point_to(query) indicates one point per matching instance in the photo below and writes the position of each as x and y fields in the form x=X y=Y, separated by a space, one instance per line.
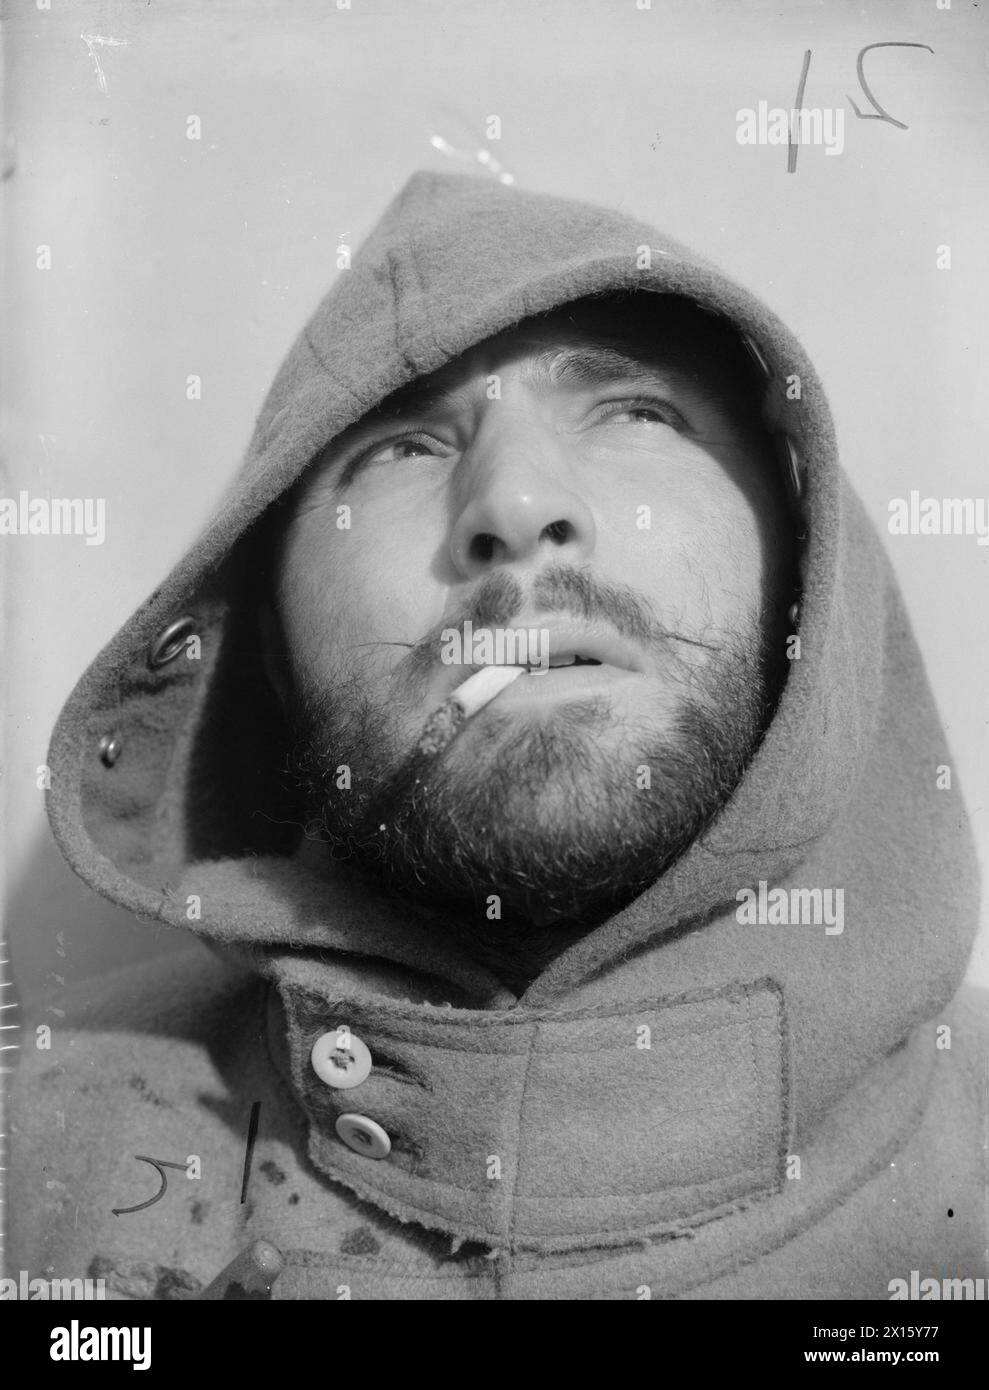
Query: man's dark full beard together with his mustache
x=527 y=832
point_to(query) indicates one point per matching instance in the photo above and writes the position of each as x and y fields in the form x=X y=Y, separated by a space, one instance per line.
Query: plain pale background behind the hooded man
x=176 y=258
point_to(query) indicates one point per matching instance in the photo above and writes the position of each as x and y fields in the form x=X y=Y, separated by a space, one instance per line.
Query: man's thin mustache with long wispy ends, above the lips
x=559 y=591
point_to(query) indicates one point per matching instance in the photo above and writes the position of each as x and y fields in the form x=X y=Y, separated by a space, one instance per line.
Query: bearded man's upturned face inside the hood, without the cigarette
x=595 y=476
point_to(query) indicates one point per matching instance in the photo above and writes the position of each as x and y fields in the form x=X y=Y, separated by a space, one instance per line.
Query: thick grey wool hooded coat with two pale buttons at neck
x=683 y=1104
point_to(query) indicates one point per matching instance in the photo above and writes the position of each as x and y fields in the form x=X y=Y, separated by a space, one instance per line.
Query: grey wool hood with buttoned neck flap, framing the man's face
x=165 y=792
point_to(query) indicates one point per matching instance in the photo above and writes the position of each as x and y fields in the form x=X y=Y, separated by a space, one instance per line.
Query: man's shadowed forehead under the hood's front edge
x=594 y=343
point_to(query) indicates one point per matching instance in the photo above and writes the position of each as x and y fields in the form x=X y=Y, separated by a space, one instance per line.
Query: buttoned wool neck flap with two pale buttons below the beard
x=534 y=1129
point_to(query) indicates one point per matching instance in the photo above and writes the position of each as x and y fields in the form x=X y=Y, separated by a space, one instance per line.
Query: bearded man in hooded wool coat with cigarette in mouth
x=641 y=974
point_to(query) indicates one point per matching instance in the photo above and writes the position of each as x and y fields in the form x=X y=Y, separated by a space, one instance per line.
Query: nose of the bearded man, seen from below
x=519 y=507
